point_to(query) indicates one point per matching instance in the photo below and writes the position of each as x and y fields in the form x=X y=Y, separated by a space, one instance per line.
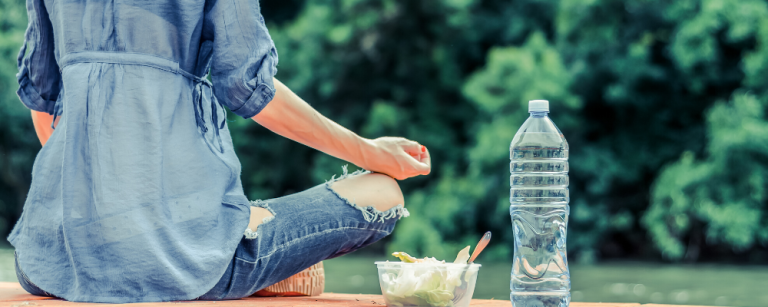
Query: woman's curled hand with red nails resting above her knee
x=397 y=157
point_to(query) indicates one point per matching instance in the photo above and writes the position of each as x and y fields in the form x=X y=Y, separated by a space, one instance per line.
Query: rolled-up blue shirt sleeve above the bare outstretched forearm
x=244 y=58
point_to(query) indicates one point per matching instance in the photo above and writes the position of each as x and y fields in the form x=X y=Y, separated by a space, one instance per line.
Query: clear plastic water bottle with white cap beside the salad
x=539 y=210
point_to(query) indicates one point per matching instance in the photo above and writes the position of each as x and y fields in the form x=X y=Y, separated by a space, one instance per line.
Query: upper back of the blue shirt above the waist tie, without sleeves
x=166 y=29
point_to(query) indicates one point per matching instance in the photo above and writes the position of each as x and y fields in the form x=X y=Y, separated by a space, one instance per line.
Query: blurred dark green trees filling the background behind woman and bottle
x=662 y=101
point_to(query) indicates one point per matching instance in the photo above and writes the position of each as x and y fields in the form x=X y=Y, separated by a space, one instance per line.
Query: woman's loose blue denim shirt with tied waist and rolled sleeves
x=137 y=194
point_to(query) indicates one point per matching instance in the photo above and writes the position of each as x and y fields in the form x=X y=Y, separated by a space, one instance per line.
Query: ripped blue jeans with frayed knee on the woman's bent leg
x=307 y=227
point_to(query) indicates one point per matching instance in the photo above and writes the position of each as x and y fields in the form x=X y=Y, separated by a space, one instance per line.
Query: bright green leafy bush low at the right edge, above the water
x=720 y=199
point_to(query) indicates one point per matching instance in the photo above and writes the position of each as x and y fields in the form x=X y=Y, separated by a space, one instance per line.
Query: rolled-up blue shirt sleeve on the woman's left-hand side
x=39 y=77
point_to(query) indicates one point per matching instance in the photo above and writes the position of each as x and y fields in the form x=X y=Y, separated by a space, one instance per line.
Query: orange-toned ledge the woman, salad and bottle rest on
x=12 y=295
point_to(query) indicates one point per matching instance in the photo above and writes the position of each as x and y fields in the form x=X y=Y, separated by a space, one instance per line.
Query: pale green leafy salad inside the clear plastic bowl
x=430 y=284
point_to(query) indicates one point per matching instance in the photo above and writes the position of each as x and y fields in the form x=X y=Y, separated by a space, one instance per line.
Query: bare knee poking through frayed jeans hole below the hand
x=377 y=190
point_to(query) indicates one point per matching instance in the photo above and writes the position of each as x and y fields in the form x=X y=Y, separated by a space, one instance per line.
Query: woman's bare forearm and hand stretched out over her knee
x=290 y=116
